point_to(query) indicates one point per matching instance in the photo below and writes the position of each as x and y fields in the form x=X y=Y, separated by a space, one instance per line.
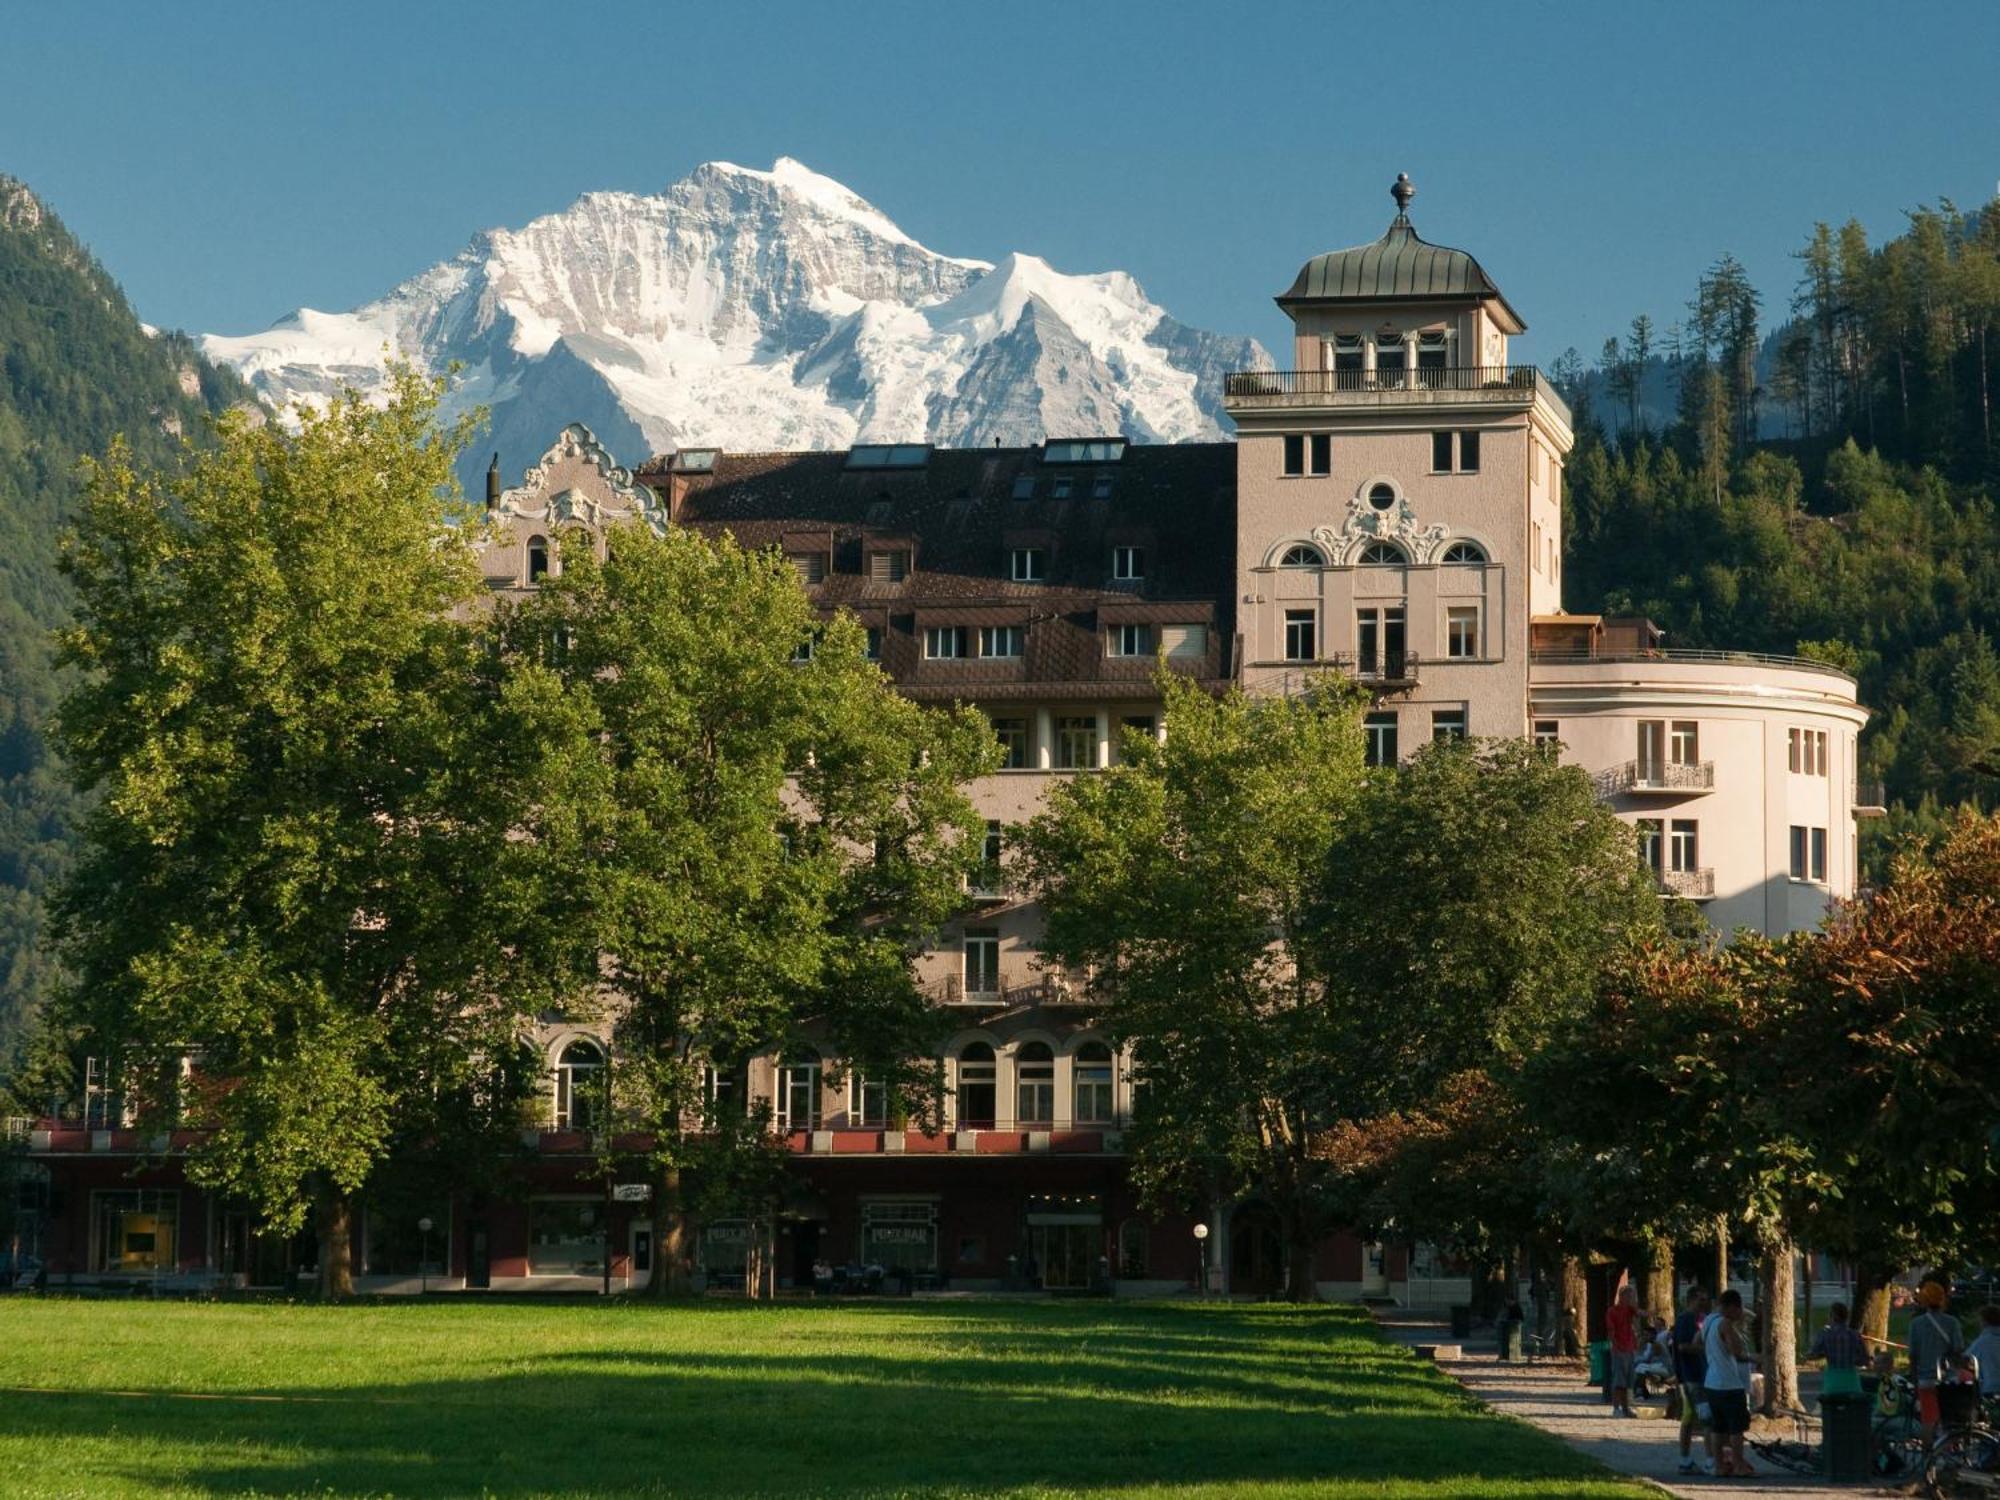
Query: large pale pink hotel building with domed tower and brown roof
x=1391 y=509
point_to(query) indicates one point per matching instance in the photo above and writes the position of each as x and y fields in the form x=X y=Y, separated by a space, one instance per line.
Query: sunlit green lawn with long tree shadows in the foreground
x=897 y=1399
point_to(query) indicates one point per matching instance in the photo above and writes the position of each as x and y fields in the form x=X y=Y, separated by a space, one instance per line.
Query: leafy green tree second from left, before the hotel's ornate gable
x=745 y=833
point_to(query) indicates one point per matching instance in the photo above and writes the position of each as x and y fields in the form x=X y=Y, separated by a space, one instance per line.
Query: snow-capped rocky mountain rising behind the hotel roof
x=749 y=311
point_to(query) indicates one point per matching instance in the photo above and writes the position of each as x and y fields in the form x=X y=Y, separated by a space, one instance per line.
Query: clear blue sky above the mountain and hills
x=235 y=161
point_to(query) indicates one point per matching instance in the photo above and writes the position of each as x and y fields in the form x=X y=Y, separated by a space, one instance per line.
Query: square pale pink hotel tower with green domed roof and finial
x=1399 y=491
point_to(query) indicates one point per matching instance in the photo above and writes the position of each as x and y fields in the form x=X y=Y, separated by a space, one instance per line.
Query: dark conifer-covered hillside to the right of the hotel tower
x=1869 y=539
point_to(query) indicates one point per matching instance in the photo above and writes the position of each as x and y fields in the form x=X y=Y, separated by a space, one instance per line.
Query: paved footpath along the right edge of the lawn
x=1555 y=1399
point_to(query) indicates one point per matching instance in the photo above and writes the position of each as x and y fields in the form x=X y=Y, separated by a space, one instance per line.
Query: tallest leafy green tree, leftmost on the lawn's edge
x=295 y=873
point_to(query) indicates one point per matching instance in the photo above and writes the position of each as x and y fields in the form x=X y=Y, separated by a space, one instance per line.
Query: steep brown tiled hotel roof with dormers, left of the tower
x=961 y=519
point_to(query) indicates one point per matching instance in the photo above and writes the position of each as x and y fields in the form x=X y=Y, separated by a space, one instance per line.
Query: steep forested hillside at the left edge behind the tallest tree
x=77 y=369
